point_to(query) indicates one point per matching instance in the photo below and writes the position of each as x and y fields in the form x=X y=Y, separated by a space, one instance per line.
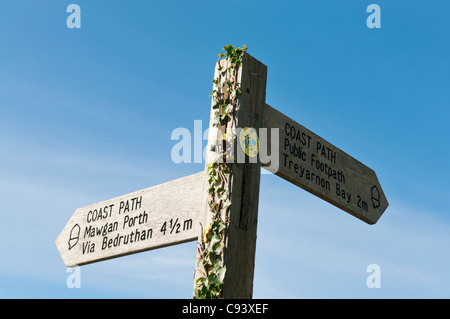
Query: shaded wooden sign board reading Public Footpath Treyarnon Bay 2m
x=312 y=163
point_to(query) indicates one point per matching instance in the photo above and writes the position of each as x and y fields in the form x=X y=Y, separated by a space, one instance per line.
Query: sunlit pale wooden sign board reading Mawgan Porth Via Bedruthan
x=152 y=218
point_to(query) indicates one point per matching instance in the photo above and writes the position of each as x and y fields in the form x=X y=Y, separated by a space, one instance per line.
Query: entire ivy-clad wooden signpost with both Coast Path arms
x=175 y=212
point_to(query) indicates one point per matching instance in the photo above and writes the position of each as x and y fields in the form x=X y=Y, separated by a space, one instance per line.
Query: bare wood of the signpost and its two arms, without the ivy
x=177 y=211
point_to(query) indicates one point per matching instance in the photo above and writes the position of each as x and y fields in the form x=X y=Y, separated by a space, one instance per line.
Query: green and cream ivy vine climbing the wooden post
x=225 y=94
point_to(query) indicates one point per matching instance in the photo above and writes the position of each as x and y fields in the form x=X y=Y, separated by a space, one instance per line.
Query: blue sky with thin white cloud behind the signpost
x=87 y=115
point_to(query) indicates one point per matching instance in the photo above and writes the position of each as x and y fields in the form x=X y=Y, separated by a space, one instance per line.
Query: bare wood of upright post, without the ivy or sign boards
x=239 y=254
